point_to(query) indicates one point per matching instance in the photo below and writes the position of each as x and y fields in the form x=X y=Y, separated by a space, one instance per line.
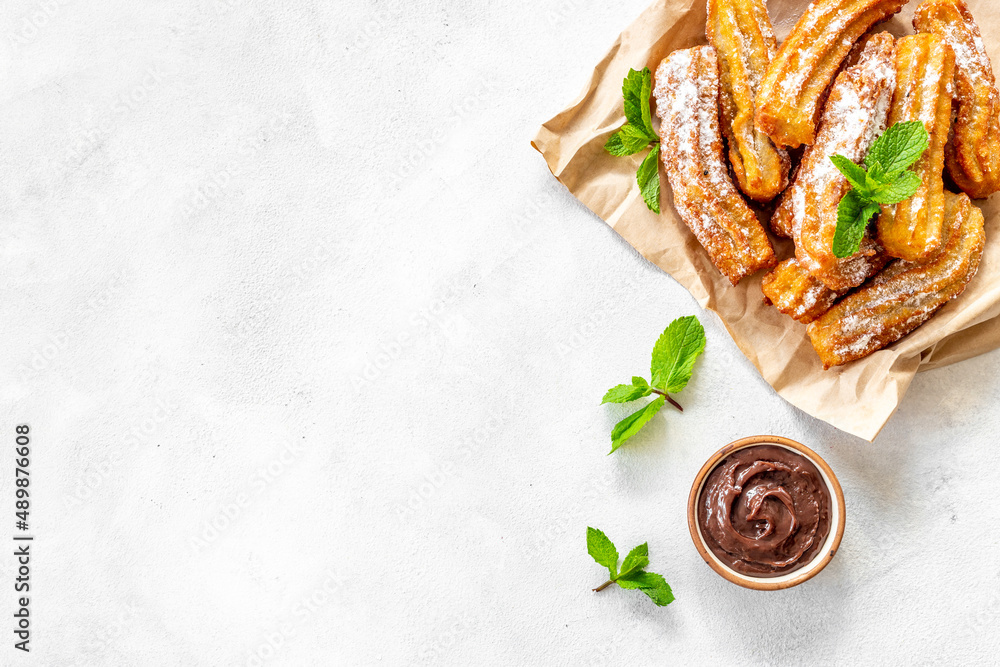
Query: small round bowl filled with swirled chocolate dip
x=766 y=512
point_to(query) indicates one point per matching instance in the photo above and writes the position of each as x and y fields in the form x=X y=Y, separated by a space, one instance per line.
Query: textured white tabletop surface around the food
x=312 y=346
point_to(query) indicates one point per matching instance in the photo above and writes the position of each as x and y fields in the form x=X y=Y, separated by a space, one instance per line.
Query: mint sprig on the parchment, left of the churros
x=638 y=133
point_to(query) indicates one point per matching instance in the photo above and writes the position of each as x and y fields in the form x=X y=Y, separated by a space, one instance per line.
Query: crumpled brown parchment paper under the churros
x=858 y=398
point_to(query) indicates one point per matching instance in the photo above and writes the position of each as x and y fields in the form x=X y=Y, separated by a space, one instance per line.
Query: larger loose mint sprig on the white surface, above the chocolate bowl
x=674 y=355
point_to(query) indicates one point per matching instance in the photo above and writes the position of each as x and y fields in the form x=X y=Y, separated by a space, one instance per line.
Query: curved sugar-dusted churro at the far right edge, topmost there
x=973 y=153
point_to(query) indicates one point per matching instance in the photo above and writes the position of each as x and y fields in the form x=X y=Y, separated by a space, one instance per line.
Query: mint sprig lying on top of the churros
x=885 y=181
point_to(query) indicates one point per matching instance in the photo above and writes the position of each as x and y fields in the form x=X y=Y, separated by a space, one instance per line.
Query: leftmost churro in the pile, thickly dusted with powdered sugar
x=686 y=91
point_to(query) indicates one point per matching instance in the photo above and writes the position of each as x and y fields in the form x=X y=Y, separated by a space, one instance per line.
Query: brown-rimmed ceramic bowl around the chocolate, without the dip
x=822 y=557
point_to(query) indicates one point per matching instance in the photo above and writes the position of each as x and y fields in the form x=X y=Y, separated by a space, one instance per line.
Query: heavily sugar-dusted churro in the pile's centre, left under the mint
x=853 y=117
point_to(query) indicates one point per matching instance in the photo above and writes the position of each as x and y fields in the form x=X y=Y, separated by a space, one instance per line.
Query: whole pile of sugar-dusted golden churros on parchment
x=833 y=87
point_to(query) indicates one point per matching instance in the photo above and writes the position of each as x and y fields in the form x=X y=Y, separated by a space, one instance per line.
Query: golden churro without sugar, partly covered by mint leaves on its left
x=925 y=71
